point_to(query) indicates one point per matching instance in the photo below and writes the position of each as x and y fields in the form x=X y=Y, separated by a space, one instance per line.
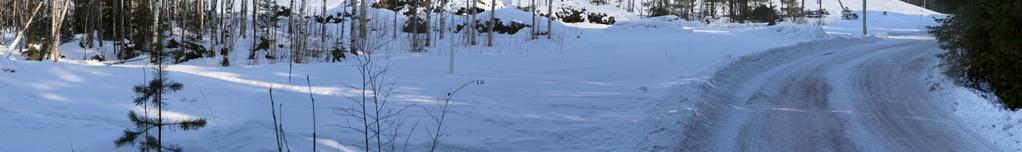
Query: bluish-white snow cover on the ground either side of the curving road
x=591 y=89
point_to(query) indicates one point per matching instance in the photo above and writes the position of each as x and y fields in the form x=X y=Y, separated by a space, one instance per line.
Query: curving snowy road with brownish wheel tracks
x=845 y=95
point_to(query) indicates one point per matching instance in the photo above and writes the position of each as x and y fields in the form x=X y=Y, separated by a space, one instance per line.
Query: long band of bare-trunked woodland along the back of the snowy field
x=295 y=32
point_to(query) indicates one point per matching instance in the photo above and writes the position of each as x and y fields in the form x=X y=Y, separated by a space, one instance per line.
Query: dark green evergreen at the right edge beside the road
x=983 y=40
